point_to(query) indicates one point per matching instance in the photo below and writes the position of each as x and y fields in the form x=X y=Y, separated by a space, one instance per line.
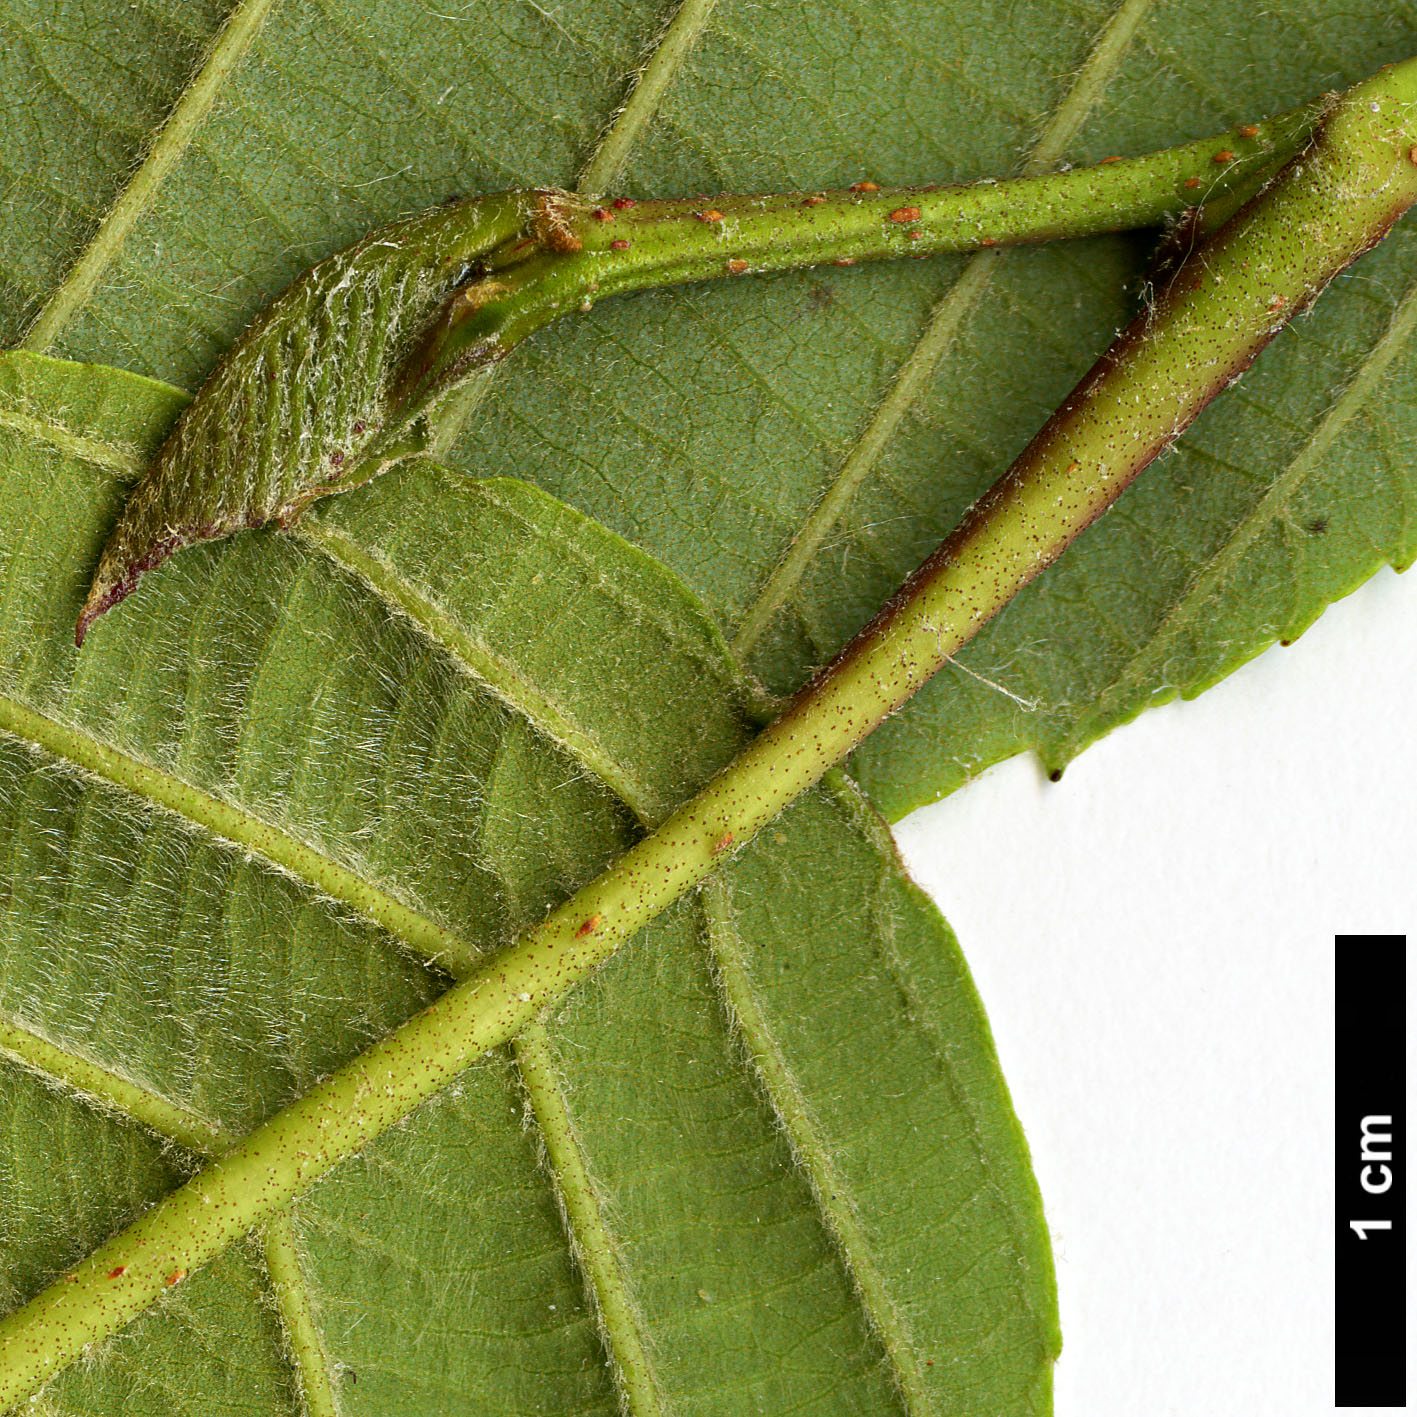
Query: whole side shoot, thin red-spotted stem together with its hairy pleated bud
x=346 y=373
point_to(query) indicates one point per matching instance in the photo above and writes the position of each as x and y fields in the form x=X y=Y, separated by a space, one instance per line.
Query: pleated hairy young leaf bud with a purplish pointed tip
x=300 y=403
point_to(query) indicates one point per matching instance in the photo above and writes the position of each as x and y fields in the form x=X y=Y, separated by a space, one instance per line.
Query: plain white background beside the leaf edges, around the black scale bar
x=1153 y=939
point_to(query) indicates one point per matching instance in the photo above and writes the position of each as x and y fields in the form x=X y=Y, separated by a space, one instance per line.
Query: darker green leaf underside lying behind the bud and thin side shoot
x=711 y=426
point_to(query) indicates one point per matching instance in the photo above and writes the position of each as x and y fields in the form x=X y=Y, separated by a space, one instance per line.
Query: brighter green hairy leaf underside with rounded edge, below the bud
x=440 y=711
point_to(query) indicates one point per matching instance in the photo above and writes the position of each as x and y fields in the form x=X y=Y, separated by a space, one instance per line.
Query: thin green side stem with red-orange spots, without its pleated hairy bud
x=599 y=252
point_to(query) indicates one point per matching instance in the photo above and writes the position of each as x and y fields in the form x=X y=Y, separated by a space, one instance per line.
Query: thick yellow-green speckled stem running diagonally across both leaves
x=1224 y=305
